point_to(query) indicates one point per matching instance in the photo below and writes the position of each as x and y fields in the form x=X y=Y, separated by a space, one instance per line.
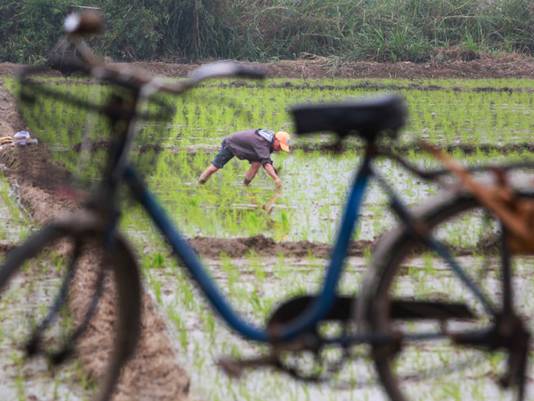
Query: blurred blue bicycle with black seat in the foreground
x=294 y=327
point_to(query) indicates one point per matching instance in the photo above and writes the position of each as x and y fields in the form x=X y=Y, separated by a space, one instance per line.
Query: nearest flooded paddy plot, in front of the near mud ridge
x=256 y=285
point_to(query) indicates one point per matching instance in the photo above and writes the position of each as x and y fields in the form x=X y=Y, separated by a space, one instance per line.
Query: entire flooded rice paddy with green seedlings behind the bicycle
x=494 y=119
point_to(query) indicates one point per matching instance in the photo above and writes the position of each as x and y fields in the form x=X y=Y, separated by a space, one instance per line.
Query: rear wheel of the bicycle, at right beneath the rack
x=426 y=362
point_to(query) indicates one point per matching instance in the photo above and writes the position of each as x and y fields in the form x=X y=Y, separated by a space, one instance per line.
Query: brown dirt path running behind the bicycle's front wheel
x=153 y=374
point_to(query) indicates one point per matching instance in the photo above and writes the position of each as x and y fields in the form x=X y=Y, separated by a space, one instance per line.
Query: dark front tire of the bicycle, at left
x=126 y=283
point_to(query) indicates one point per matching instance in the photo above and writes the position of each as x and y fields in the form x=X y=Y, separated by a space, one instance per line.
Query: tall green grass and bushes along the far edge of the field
x=185 y=30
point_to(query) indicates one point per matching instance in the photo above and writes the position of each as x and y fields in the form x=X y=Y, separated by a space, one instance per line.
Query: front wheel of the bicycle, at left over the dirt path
x=30 y=281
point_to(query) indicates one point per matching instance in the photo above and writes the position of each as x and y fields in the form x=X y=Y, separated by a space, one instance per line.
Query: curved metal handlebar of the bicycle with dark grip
x=77 y=26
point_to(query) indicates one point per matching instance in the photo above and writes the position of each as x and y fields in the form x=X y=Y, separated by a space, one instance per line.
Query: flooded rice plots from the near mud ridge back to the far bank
x=494 y=115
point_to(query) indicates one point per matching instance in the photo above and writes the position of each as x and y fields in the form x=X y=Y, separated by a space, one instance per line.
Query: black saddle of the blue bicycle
x=362 y=117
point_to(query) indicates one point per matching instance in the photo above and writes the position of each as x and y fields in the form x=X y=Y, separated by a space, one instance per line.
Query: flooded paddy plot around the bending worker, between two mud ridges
x=308 y=208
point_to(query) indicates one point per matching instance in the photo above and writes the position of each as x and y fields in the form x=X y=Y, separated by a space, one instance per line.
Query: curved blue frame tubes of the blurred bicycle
x=325 y=299
